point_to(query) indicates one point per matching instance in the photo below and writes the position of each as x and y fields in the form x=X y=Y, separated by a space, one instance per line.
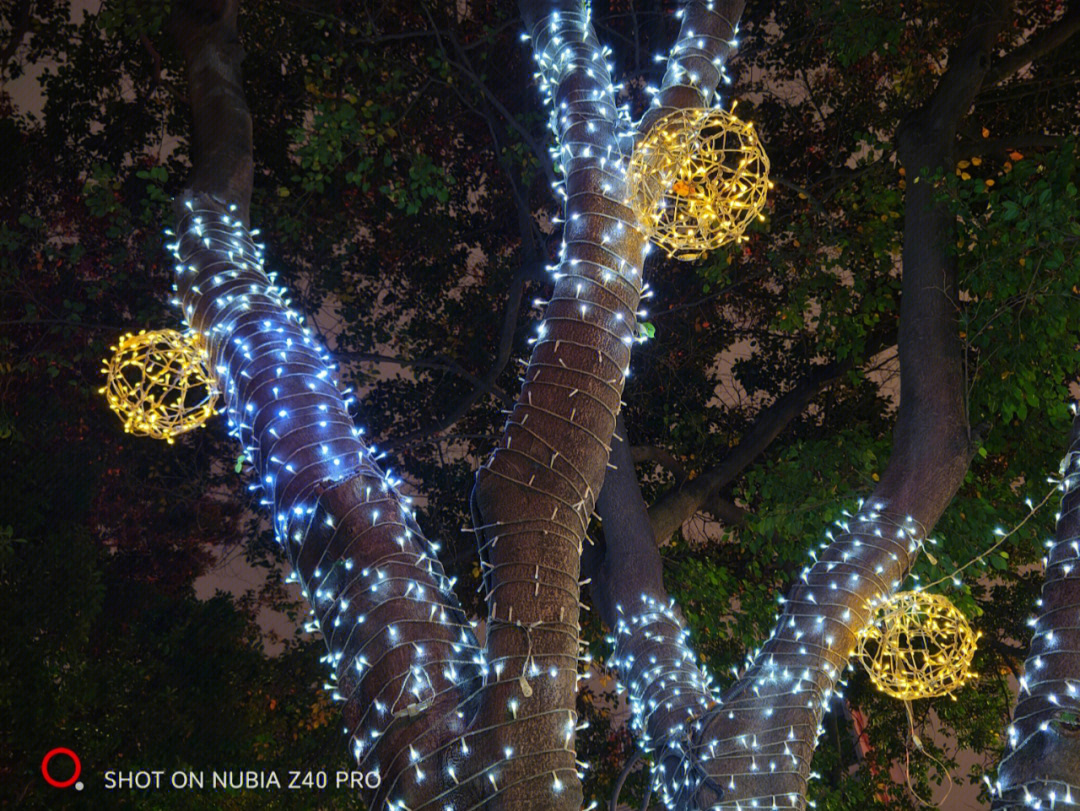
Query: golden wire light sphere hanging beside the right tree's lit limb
x=917 y=646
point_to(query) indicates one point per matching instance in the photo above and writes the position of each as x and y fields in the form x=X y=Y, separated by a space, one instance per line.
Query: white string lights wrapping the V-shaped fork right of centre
x=732 y=751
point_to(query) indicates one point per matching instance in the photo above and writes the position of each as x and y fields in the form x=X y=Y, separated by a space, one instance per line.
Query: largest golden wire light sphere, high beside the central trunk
x=697 y=181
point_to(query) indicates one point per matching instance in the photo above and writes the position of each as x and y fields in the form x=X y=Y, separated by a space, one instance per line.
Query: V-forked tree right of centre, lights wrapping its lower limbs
x=753 y=746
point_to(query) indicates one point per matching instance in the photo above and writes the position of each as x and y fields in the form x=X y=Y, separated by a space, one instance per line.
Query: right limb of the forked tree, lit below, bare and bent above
x=779 y=702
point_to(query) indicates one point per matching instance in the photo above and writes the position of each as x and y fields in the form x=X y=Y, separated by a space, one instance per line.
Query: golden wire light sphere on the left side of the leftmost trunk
x=159 y=384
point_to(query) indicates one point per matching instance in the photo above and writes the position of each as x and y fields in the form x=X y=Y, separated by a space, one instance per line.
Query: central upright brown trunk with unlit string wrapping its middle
x=536 y=493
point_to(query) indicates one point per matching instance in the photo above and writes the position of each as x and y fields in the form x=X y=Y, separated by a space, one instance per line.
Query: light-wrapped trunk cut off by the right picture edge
x=1042 y=766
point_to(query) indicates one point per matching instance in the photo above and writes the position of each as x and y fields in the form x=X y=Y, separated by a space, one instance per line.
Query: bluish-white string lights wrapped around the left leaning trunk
x=398 y=643
